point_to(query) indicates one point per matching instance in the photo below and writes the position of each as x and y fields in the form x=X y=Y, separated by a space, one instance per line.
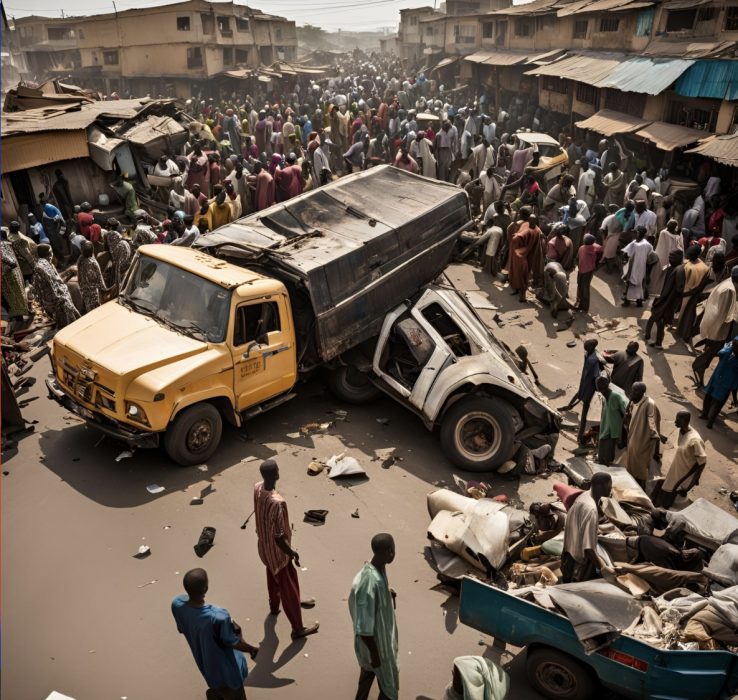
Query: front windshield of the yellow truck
x=178 y=299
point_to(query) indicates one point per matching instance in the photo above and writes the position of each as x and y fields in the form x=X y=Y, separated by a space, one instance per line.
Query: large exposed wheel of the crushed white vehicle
x=478 y=432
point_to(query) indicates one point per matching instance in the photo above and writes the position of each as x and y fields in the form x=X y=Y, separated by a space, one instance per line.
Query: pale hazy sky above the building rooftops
x=359 y=15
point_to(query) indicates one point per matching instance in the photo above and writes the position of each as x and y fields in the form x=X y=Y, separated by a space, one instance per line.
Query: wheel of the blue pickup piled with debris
x=558 y=676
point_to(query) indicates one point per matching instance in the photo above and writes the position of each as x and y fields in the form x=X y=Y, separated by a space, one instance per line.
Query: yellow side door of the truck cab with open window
x=263 y=347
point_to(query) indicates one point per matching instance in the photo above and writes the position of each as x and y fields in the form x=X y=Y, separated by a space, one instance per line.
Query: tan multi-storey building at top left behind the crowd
x=155 y=50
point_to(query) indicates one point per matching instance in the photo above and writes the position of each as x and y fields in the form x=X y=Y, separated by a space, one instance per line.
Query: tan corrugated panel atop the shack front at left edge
x=31 y=150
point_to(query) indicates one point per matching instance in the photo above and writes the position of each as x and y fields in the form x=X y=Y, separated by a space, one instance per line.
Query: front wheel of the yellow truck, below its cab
x=193 y=436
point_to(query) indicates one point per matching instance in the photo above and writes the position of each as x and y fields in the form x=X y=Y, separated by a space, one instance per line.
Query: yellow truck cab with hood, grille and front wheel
x=191 y=339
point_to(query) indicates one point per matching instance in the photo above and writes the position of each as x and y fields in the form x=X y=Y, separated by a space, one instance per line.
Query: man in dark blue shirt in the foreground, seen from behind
x=215 y=640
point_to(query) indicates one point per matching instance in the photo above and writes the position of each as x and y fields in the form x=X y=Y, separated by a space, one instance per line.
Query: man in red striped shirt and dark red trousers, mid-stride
x=274 y=538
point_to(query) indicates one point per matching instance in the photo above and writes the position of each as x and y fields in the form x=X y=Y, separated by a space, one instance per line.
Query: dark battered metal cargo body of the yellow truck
x=350 y=251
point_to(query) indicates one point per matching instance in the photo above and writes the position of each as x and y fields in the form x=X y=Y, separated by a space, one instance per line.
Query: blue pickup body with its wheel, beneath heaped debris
x=558 y=668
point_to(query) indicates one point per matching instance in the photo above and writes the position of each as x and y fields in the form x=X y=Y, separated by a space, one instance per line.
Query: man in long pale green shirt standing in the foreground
x=372 y=608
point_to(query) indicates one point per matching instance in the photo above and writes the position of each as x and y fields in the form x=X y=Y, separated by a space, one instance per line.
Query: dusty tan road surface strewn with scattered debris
x=82 y=616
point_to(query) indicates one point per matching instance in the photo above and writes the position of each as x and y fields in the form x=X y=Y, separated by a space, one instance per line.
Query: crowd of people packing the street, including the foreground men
x=548 y=224
